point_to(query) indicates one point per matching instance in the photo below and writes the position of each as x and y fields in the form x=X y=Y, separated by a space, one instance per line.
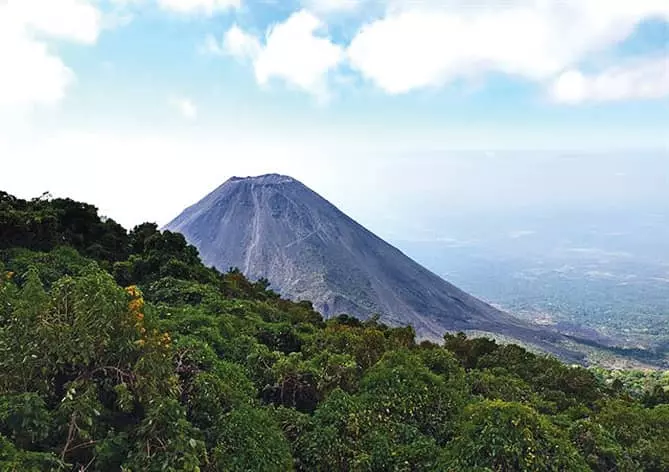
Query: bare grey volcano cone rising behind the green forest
x=275 y=227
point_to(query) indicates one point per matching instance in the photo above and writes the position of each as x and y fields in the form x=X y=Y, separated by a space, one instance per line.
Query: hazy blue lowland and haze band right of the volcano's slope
x=579 y=240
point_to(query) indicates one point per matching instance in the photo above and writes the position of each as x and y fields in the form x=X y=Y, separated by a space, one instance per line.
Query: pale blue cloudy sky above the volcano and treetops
x=141 y=107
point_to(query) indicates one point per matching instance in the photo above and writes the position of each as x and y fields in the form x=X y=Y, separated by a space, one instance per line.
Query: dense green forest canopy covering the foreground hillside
x=121 y=351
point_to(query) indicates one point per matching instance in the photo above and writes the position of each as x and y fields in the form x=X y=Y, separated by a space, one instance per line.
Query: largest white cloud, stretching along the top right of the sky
x=431 y=43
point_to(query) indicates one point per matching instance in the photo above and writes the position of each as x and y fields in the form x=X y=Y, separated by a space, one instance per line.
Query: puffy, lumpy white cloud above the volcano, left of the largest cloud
x=293 y=52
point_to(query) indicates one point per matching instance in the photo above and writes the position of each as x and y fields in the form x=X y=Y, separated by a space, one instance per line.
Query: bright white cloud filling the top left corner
x=31 y=72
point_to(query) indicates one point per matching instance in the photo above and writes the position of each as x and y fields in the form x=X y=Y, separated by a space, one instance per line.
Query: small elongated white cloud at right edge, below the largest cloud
x=641 y=79
